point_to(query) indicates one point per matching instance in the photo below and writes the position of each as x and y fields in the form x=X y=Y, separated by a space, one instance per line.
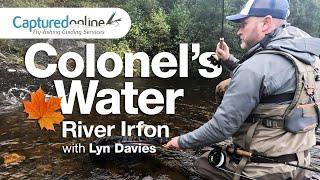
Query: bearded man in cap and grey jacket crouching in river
x=271 y=104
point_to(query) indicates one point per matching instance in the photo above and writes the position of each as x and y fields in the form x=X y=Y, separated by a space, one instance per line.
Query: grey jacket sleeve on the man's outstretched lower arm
x=242 y=96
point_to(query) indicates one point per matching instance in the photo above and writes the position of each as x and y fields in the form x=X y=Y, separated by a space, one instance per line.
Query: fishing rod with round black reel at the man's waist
x=217 y=157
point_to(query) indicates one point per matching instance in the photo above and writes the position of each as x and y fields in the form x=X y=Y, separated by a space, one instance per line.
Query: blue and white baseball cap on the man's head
x=259 y=8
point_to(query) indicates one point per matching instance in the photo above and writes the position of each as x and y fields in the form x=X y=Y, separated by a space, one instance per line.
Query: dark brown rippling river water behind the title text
x=44 y=158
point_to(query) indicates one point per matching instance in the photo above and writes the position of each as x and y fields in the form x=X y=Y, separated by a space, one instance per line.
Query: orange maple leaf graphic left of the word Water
x=44 y=112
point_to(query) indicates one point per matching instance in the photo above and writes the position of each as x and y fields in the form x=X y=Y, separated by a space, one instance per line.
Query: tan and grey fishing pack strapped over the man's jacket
x=302 y=114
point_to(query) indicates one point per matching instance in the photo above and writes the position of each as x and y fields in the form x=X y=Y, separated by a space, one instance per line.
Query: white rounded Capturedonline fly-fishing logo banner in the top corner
x=64 y=23
